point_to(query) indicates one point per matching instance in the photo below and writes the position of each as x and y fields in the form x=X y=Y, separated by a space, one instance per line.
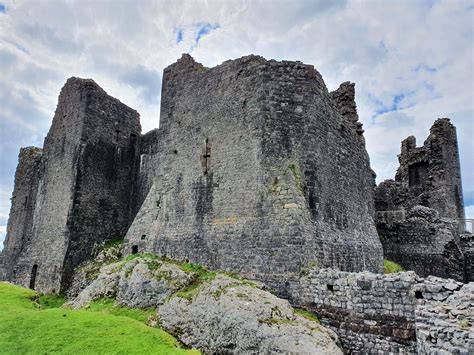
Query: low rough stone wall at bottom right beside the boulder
x=395 y=313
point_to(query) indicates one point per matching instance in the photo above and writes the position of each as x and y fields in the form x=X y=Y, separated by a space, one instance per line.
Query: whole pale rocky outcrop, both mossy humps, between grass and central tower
x=216 y=313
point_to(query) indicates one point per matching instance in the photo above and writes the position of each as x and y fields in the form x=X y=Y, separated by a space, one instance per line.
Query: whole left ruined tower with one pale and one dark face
x=74 y=193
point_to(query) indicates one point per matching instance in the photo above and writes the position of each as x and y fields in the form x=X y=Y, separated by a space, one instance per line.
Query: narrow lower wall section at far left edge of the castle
x=20 y=222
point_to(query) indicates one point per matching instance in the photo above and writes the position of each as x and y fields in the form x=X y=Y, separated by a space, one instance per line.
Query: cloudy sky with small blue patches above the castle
x=411 y=60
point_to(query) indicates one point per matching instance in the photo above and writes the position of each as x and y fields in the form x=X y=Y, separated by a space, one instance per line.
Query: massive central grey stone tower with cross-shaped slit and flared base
x=260 y=172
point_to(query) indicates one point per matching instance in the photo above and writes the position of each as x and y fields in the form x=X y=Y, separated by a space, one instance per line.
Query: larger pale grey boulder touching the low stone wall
x=233 y=316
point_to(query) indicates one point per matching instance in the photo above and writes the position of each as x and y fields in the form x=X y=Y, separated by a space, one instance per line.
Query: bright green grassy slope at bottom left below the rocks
x=25 y=328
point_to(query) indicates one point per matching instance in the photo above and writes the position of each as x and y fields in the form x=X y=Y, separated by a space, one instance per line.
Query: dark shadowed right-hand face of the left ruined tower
x=106 y=170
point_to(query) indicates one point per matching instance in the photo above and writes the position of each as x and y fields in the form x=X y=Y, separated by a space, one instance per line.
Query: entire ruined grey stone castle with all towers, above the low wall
x=256 y=168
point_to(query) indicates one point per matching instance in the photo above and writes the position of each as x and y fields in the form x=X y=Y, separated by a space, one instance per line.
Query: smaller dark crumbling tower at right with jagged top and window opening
x=418 y=213
